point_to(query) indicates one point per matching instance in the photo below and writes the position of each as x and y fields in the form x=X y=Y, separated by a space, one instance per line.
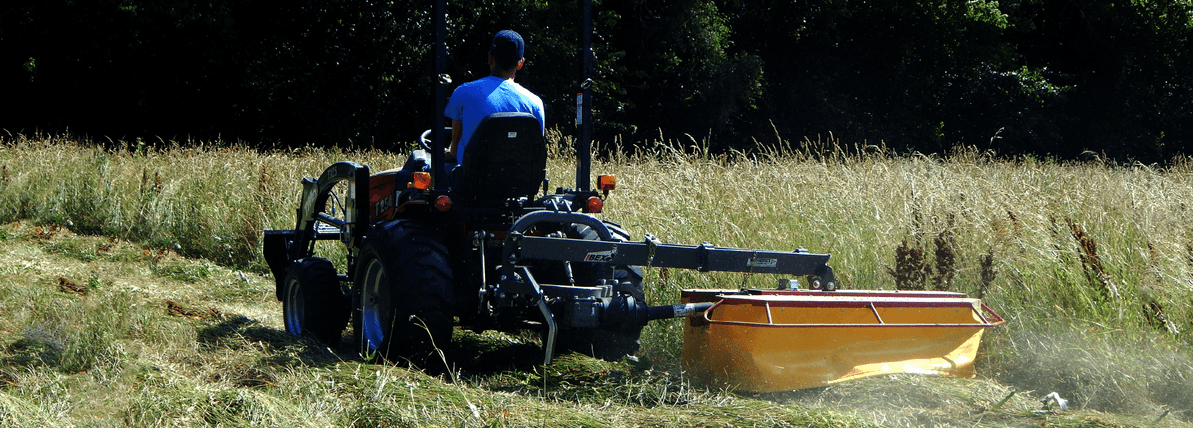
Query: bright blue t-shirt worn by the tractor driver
x=480 y=98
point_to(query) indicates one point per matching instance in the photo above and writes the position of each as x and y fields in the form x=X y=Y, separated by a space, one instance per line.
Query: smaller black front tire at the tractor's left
x=313 y=302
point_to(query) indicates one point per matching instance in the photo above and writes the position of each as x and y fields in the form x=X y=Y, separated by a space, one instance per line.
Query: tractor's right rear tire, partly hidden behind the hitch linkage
x=608 y=344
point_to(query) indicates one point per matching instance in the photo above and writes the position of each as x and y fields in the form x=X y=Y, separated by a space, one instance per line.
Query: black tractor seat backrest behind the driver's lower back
x=506 y=158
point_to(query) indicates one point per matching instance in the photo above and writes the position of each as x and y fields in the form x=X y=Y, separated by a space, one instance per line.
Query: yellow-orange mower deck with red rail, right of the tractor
x=770 y=342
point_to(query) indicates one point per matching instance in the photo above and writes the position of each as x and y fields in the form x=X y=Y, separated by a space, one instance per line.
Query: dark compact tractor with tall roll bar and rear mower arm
x=494 y=250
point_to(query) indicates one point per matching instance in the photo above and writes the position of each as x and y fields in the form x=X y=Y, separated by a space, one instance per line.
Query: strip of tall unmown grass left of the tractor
x=205 y=201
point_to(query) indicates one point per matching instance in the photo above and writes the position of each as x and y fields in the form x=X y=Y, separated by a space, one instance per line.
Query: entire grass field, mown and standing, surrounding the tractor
x=133 y=291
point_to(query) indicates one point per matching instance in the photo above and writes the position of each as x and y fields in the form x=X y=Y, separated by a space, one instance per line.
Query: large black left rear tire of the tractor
x=404 y=296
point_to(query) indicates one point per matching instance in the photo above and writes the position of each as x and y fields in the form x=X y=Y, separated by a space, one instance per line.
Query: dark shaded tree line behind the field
x=1018 y=77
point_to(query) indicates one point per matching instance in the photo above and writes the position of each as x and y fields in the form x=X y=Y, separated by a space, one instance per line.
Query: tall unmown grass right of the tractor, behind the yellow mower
x=1090 y=262
